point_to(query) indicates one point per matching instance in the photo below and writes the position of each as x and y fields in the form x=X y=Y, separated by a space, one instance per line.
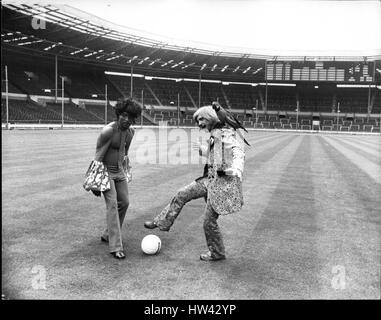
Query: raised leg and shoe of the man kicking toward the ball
x=164 y=220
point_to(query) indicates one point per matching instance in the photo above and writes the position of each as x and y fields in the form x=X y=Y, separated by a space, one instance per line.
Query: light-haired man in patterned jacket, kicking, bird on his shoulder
x=220 y=185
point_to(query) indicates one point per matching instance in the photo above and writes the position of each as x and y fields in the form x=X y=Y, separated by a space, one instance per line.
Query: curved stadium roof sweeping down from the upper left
x=75 y=35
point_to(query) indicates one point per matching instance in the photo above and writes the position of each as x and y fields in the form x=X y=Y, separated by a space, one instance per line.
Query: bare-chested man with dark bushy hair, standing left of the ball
x=112 y=148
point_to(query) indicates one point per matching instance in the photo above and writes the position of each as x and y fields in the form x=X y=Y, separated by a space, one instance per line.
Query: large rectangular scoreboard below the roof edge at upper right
x=356 y=72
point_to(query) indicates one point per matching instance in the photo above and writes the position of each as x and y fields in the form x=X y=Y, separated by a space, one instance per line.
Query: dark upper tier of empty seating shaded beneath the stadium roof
x=90 y=84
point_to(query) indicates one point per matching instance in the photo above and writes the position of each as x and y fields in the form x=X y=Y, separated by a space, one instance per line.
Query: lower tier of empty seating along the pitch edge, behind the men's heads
x=28 y=111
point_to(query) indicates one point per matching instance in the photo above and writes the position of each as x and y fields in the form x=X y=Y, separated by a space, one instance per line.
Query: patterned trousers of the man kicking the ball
x=195 y=190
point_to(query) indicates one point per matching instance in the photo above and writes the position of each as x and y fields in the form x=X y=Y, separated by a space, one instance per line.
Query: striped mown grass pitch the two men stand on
x=309 y=229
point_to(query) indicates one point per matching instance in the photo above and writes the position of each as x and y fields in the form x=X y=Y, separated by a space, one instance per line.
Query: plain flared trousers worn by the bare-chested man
x=117 y=203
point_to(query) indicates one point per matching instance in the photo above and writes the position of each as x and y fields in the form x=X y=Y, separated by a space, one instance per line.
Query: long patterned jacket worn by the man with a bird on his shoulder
x=224 y=169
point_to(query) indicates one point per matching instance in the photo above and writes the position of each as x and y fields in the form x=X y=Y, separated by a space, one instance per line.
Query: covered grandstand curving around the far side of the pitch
x=159 y=87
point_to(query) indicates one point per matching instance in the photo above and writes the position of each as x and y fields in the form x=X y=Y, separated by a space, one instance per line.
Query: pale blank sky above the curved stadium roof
x=254 y=26
